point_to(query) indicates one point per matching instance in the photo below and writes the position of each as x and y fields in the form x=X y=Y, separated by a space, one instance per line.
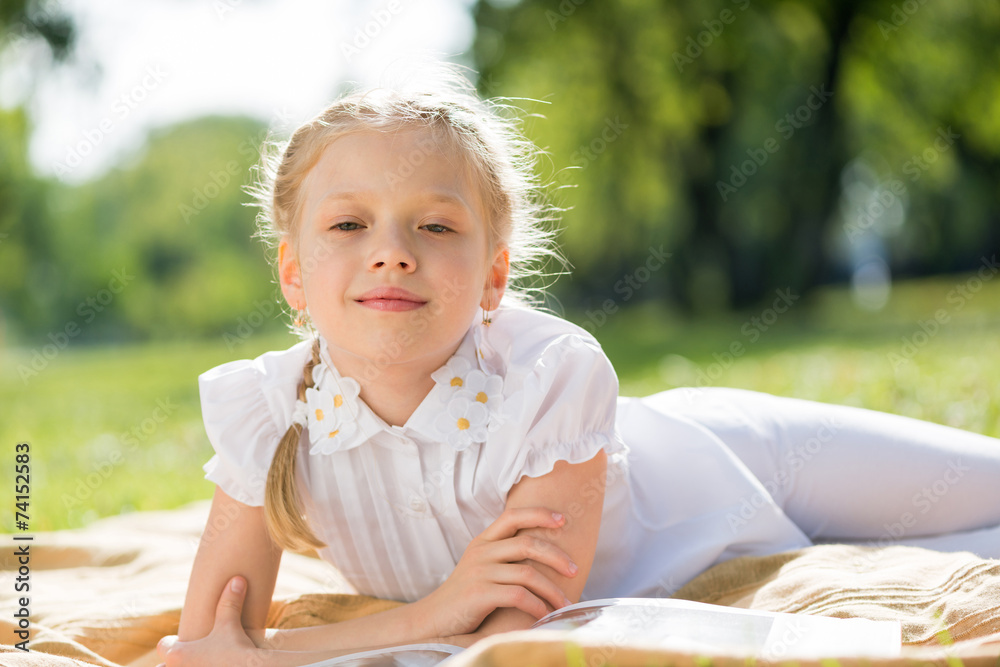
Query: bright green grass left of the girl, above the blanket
x=112 y=429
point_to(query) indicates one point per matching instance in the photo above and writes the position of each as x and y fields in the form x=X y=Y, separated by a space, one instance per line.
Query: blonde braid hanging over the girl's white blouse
x=283 y=513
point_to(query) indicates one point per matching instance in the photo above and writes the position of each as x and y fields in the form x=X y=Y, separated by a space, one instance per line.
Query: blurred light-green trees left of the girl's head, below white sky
x=159 y=247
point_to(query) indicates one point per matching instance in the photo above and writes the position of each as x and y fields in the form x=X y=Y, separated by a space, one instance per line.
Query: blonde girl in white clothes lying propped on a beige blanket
x=443 y=444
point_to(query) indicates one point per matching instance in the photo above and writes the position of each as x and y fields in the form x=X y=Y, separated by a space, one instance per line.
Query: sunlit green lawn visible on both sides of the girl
x=74 y=413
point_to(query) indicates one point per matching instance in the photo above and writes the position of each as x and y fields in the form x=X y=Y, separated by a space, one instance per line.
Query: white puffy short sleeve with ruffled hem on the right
x=564 y=411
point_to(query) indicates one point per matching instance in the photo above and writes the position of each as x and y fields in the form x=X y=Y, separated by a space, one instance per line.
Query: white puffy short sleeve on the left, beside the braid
x=247 y=407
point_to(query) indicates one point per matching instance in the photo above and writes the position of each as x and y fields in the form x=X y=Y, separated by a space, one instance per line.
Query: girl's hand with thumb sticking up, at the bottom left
x=227 y=644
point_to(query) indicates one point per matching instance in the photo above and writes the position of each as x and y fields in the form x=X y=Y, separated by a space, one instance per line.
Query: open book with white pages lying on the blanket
x=680 y=625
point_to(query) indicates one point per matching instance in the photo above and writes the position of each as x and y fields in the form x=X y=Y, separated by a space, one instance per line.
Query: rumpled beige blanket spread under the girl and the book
x=104 y=595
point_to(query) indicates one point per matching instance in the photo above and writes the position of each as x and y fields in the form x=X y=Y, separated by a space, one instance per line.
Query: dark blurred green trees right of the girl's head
x=722 y=129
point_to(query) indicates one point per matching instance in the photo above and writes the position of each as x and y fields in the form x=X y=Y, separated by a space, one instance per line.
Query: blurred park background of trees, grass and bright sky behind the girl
x=800 y=197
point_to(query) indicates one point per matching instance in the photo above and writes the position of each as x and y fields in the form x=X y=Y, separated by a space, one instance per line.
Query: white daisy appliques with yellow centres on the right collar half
x=474 y=408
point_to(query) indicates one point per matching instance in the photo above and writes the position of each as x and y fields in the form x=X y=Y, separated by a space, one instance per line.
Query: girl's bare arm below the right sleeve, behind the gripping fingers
x=576 y=491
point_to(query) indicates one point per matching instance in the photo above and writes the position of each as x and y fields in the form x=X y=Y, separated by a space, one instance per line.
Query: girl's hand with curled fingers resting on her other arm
x=489 y=576
